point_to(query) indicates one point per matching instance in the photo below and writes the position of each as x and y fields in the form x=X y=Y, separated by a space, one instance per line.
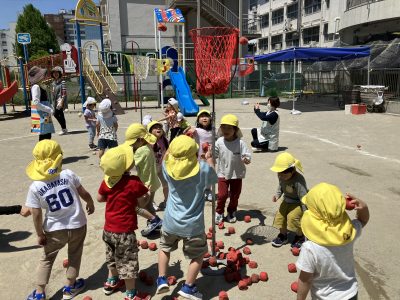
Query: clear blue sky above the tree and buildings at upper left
x=10 y=9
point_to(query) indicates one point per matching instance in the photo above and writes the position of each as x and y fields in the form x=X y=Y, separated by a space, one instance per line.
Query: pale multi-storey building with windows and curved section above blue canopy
x=321 y=23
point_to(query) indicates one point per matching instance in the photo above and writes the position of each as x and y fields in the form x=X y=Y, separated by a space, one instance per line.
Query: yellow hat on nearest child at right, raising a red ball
x=325 y=221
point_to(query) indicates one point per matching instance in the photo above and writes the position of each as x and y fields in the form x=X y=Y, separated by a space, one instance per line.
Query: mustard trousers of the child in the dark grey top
x=289 y=216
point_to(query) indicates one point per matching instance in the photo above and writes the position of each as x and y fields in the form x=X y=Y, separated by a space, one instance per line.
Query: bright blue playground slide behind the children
x=183 y=93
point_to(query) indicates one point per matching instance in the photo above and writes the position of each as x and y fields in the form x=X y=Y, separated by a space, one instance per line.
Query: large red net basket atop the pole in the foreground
x=214 y=48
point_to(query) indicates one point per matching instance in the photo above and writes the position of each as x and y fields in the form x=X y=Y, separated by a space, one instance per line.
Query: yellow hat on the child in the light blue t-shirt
x=181 y=160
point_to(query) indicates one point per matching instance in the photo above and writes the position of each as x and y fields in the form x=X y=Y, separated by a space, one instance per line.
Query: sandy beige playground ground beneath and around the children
x=359 y=153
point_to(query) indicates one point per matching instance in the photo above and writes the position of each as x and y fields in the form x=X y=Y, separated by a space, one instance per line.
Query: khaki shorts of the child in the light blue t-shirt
x=193 y=247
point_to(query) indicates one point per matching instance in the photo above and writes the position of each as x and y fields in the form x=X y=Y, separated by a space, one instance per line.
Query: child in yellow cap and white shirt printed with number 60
x=58 y=192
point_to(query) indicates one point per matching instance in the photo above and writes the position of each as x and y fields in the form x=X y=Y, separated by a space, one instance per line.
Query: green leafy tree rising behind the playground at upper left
x=43 y=37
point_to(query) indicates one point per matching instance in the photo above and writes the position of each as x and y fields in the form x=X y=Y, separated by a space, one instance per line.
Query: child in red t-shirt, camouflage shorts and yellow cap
x=122 y=193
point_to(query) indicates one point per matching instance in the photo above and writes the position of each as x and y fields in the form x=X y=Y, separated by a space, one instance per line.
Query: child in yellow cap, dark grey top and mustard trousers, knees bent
x=292 y=187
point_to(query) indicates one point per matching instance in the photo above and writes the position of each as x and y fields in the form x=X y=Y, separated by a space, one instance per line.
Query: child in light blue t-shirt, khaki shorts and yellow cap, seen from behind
x=184 y=215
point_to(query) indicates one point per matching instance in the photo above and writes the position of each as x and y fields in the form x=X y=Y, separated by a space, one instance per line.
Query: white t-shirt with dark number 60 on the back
x=60 y=198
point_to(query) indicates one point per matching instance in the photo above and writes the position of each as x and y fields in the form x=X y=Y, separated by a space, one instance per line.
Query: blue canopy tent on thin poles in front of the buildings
x=312 y=55
